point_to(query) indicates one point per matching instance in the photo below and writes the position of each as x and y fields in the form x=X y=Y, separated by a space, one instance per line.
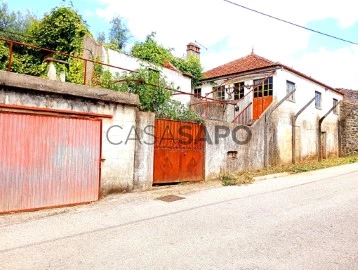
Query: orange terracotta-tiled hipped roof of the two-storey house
x=249 y=62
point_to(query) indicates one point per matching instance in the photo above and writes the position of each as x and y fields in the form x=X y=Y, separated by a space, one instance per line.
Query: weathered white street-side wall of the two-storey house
x=307 y=122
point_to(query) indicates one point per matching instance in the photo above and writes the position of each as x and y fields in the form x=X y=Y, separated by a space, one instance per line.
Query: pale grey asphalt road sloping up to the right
x=306 y=221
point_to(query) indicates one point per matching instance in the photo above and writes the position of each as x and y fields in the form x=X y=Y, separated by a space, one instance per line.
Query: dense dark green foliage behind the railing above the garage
x=60 y=30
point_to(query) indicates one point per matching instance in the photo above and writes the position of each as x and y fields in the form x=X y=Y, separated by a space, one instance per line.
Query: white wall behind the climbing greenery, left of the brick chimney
x=177 y=79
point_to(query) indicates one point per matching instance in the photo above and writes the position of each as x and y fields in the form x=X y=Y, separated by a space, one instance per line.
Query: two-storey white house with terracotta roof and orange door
x=250 y=86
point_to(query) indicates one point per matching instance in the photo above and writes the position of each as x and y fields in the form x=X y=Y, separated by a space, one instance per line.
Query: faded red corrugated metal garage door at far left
x=48 y=161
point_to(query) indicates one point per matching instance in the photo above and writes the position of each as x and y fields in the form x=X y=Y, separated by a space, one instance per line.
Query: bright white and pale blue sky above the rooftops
x=229 y=32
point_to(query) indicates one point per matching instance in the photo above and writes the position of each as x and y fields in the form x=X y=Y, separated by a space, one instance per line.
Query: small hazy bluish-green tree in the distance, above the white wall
x=118 y=34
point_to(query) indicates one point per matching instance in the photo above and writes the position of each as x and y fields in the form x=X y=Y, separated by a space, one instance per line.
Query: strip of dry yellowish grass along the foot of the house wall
x=247 y=177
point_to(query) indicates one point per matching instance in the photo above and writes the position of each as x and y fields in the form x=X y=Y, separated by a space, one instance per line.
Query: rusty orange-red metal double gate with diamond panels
x=178 y=151
